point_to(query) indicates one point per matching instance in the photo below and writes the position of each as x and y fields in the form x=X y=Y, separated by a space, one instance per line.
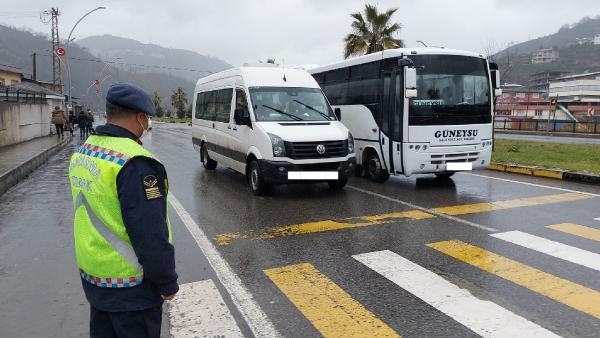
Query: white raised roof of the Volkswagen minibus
x=263 y=77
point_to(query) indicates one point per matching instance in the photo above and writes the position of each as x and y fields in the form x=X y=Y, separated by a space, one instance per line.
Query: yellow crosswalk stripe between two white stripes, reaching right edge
x=561 y=290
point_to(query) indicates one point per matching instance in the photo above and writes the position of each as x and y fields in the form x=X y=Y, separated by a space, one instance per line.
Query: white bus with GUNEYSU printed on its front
x=415 y=111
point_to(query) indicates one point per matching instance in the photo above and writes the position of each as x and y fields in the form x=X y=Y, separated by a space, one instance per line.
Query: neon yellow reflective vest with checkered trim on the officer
x=103 y=249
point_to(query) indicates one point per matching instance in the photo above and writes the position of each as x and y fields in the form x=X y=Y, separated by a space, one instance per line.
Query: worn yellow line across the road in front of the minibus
x=326 y=225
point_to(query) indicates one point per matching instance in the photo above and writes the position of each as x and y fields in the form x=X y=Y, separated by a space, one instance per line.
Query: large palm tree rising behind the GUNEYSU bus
x=372 y=32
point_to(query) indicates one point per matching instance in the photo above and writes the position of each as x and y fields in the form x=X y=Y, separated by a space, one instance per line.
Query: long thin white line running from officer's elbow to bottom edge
x=256 y=319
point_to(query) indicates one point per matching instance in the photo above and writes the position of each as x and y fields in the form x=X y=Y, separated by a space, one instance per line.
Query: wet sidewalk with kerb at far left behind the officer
x=19 y=160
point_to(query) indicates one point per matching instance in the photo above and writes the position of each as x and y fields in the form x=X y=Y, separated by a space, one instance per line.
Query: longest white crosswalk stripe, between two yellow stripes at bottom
x=485 y=318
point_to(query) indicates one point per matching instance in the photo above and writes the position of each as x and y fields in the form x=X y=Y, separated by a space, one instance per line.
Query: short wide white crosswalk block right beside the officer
x=199 y=311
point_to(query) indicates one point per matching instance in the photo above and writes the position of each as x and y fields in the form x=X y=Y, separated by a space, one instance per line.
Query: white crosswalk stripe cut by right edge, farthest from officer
x=552 y=248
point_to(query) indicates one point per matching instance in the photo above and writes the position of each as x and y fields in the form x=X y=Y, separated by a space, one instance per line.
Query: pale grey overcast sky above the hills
x=299 y=31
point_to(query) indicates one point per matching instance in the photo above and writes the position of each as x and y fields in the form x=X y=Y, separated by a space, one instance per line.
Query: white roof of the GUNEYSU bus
x=391 y=53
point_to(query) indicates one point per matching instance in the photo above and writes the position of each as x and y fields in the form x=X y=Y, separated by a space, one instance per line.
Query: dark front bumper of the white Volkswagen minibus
x=277 y=171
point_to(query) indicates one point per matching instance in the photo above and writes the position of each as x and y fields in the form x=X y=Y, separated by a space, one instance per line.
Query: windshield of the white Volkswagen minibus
x=290 y=104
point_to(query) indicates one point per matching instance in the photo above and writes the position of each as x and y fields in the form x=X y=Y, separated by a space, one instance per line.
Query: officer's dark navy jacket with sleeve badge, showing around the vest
x=145 y=221
